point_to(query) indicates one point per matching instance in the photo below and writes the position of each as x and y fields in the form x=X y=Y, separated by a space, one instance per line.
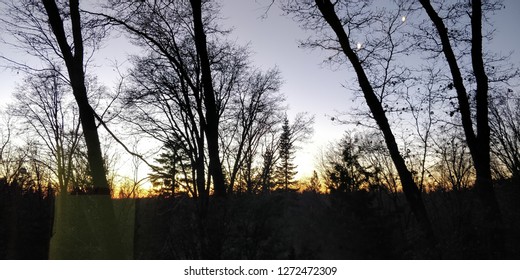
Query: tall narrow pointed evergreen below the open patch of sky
x=286 y=169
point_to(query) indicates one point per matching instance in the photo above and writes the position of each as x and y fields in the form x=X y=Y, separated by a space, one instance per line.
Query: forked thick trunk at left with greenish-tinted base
x=102 y=225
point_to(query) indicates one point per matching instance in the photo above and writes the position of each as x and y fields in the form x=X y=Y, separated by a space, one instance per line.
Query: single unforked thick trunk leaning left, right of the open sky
x=410 y=189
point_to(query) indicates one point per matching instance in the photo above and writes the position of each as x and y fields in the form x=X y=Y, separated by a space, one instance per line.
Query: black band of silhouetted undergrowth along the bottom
x=280 y=225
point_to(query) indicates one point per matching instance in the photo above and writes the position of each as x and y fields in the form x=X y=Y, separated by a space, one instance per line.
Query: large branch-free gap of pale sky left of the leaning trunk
x=309 y=86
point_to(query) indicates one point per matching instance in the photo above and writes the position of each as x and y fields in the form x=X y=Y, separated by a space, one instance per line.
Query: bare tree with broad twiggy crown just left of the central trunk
x=158 y=104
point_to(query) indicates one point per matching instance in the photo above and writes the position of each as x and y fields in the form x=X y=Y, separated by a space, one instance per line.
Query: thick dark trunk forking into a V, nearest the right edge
x=479 y=144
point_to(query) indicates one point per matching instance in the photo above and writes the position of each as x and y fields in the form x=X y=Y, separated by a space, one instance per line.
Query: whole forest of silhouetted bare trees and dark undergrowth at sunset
x=428 y=167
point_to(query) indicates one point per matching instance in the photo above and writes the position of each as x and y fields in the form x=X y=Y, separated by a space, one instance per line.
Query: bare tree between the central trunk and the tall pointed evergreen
x=255 y=107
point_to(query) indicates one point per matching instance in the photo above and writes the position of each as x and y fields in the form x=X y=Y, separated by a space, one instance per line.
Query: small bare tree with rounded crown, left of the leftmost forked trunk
x=42 y=105
